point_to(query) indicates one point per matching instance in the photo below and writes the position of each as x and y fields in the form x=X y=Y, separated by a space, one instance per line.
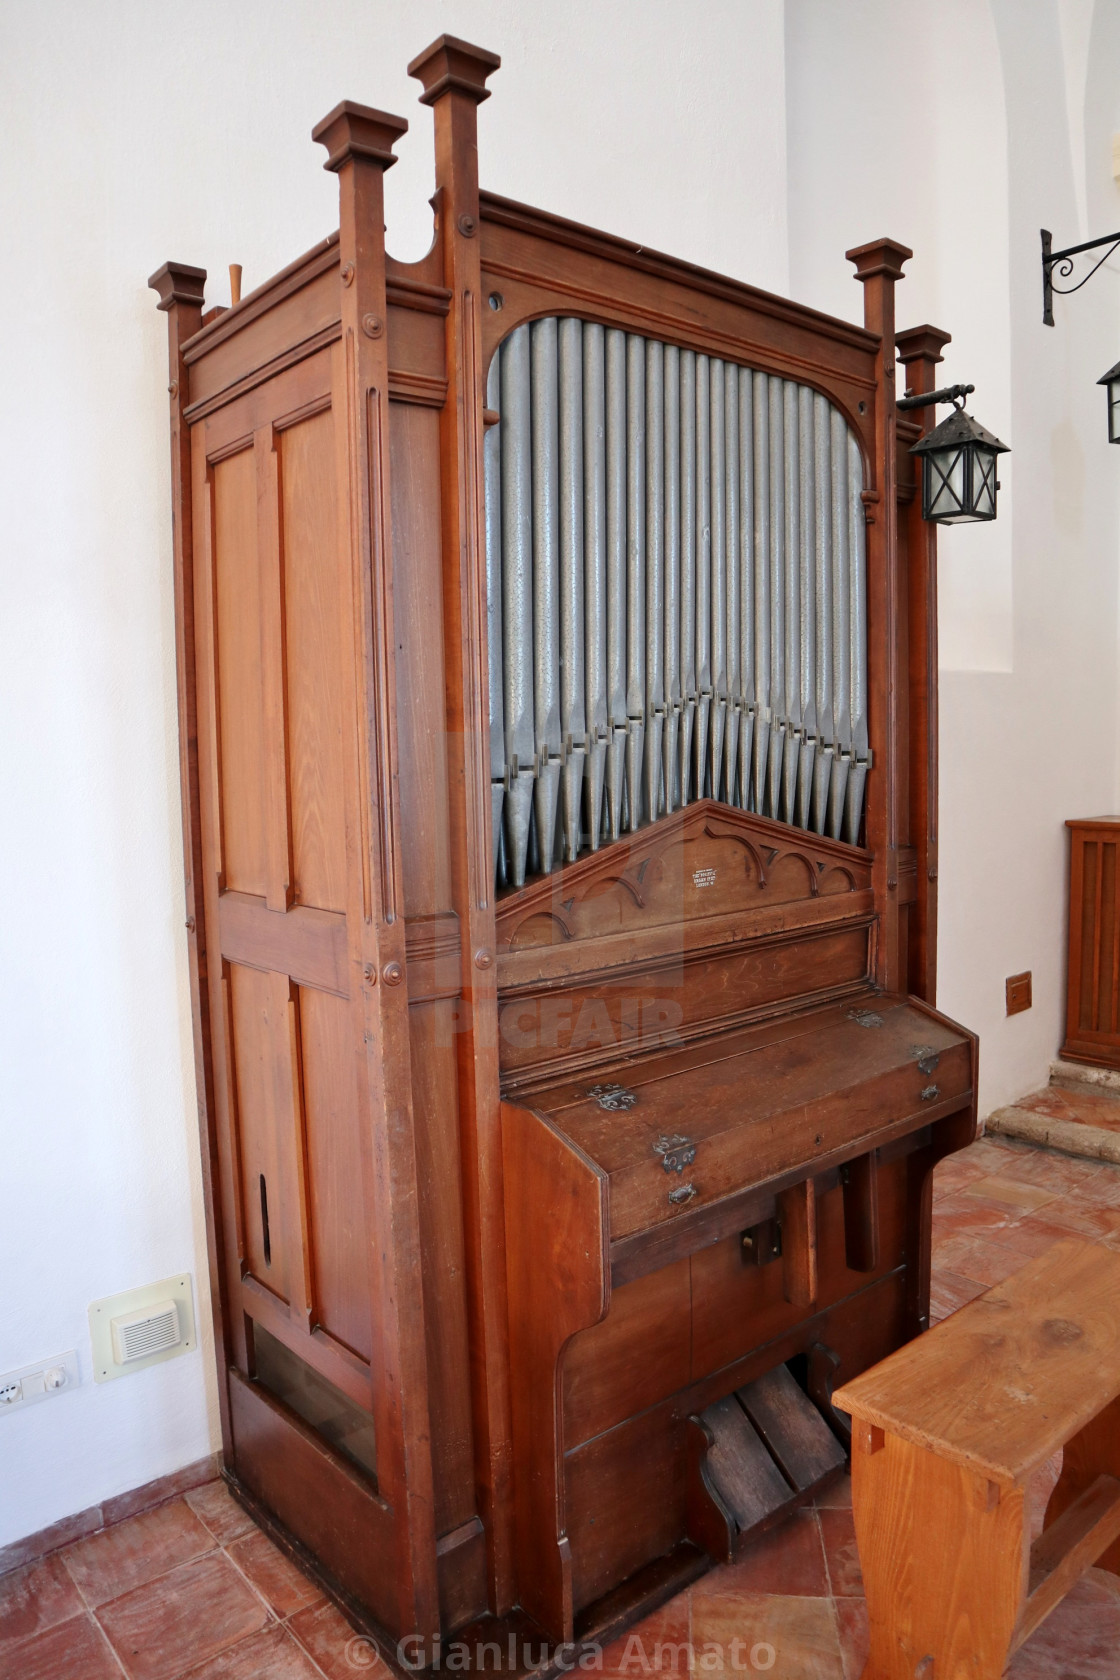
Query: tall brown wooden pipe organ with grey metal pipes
x=557 y=675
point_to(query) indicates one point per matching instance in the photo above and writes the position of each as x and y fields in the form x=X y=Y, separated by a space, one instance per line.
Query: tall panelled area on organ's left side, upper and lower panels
x=278 y=708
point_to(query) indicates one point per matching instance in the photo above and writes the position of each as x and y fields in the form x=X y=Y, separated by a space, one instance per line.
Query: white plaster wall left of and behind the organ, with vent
x=135 y=135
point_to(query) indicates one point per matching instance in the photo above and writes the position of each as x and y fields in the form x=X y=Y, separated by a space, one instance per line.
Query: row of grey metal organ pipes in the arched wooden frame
x=676 y=594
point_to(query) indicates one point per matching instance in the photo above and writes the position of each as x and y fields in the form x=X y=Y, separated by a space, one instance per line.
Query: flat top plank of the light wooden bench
x=1005 y=1382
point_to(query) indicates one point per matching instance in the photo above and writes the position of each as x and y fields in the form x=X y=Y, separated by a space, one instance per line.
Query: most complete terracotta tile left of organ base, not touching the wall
x=184 y=1619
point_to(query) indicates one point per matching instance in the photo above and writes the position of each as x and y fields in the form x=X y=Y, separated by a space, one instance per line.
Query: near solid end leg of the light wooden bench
x=945 y=1562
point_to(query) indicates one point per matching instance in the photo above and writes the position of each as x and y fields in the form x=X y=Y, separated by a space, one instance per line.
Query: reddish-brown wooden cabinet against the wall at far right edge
x=1094 y=970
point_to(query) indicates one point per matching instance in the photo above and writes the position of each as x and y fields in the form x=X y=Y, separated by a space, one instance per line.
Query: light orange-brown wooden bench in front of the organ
x=948 y=1434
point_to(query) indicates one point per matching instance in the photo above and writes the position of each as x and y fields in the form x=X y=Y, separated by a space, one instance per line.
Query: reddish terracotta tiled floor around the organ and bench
x=196 y=1590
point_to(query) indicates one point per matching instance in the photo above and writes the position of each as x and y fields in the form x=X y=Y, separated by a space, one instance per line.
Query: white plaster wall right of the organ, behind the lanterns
x=993 y=132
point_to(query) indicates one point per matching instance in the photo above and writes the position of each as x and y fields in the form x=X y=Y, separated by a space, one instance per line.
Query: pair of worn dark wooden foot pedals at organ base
x=758 y=1454
